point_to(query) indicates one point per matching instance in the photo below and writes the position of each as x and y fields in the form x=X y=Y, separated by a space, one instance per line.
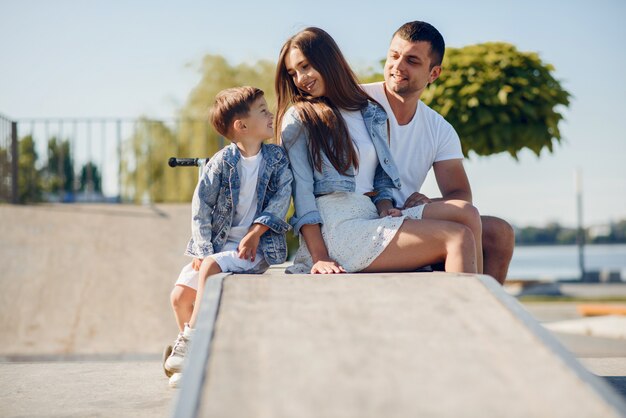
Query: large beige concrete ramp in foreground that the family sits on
x=381 y=345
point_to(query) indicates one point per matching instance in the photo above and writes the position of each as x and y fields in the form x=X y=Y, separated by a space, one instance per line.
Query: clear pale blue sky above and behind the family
x=132 y=58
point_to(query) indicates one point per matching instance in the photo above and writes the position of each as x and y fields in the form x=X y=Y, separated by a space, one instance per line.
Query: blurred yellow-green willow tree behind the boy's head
x=145 y=173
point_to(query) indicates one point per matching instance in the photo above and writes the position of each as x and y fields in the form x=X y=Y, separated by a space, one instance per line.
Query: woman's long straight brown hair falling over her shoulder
x=327 y=130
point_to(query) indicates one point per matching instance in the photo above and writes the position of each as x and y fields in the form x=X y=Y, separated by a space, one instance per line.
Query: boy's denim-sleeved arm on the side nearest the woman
x=274 y=213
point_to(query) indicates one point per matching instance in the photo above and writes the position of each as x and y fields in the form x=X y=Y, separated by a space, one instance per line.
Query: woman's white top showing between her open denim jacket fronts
x=368 y=160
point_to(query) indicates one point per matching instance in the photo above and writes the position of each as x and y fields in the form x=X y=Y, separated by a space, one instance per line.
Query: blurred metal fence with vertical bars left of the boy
x=98 y=159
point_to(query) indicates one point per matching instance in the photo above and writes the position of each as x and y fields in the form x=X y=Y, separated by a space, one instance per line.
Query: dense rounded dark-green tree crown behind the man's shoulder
x=499 y=99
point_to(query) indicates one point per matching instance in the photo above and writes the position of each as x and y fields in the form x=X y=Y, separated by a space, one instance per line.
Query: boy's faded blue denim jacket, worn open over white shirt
x=217 y=194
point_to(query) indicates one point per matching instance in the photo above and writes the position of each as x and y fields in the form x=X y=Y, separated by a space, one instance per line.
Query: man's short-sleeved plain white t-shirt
x=426 y=139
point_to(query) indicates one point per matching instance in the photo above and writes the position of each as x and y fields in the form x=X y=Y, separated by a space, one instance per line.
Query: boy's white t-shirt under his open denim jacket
x=248 y=169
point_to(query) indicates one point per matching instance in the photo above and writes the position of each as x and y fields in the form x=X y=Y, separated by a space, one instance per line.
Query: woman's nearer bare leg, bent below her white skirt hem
x=422 y=242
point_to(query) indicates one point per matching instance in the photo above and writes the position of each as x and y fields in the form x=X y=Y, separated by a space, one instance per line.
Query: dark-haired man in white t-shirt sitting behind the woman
x=420 y=138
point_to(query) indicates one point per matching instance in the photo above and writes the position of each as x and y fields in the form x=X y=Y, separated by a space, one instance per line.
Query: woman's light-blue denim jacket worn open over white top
x=309 y=183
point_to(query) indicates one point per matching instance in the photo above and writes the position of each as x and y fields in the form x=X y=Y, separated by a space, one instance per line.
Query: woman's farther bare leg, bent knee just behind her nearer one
x=464 y=213
